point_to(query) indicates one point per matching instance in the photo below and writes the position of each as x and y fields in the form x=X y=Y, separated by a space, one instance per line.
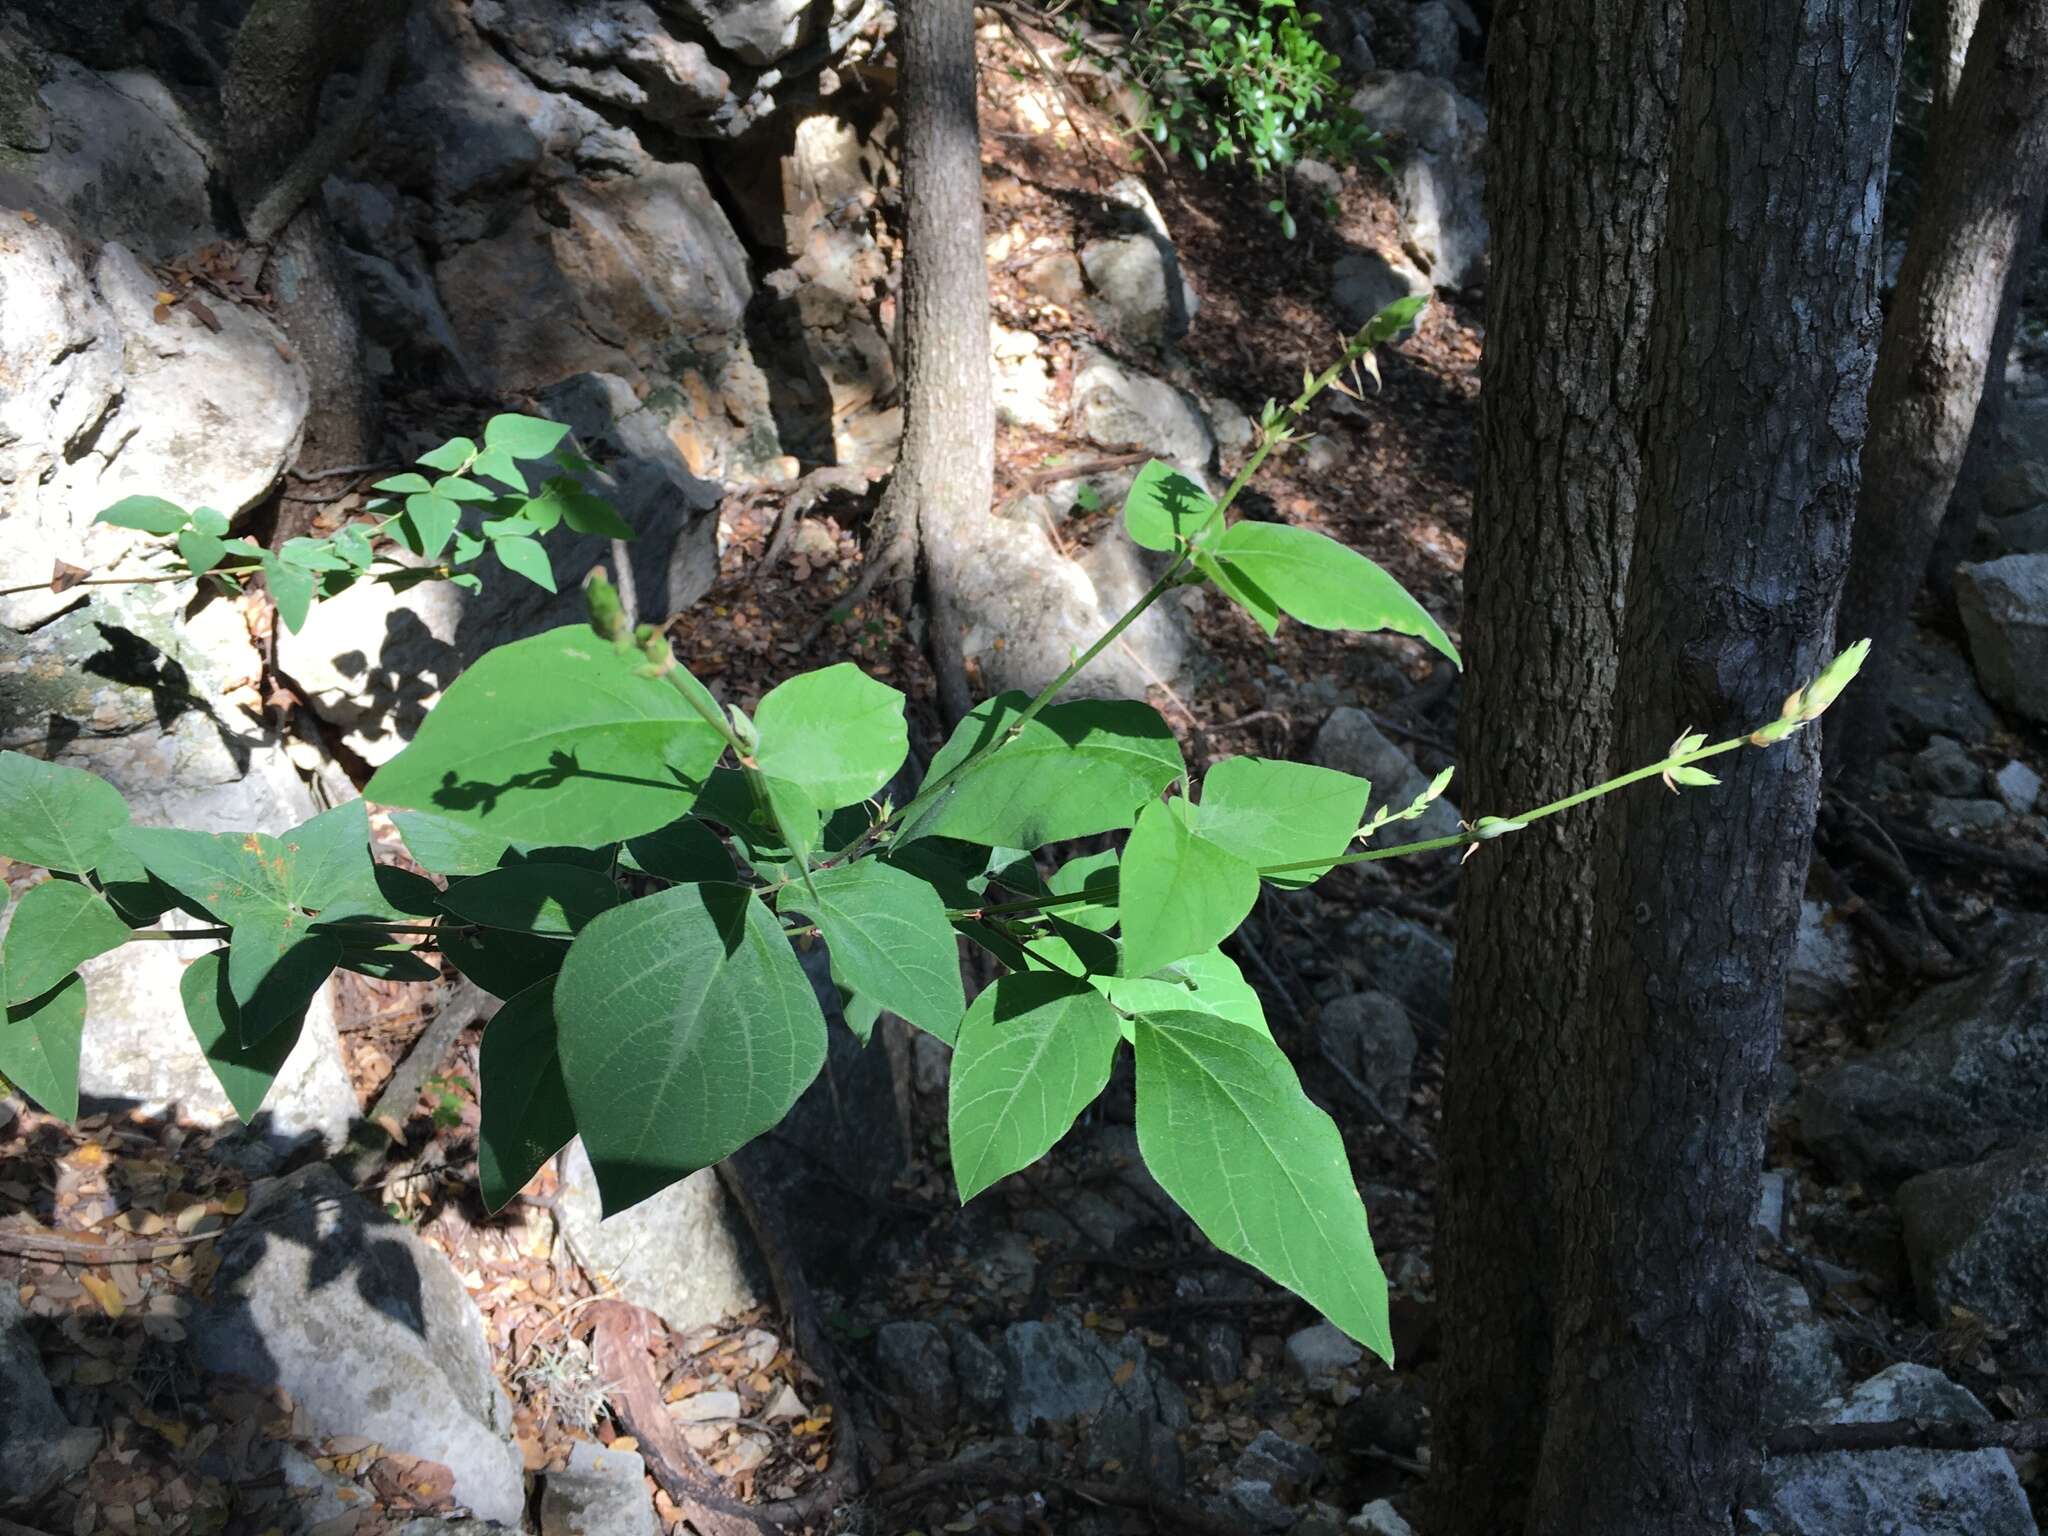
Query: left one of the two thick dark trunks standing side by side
x=1580 y=101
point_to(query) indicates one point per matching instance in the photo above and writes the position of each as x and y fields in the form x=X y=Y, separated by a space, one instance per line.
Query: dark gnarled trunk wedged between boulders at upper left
x=280 y=153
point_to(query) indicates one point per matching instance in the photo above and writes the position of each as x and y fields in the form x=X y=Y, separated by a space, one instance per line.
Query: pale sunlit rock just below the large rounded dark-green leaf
x=677 y=1254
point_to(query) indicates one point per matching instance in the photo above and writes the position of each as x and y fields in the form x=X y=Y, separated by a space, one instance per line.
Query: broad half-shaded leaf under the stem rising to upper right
x=1076 y=771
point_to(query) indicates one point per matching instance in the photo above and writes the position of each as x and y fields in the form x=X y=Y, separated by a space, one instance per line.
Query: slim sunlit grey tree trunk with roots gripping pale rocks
x=945 y=472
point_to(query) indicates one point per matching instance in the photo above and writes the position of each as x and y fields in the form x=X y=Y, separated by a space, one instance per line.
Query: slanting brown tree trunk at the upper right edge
x=1988 y=157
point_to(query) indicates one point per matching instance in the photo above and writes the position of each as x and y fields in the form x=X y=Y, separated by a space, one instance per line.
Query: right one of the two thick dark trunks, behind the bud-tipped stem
x=1760 y=366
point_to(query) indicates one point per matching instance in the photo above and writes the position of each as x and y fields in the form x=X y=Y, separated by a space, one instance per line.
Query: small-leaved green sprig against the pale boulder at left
x=476 y=501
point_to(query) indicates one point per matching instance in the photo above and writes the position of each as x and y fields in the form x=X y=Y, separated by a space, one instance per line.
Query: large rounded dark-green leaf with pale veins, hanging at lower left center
x=687 y=1027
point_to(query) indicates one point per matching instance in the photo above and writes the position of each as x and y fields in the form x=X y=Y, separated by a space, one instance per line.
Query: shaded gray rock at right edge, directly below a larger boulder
x=1977 y=1240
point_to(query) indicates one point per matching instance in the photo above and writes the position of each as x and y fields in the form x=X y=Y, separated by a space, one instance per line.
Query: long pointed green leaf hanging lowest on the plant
x=1228 y=1132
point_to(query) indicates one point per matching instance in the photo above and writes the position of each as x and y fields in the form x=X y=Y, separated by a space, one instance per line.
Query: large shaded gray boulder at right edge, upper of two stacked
x=1961 y=1074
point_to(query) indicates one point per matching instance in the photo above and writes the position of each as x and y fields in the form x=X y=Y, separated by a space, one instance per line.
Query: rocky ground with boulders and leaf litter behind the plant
x=220 y=1330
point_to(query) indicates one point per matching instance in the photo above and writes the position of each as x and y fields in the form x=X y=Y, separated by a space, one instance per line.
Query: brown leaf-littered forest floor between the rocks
x=1392 y=476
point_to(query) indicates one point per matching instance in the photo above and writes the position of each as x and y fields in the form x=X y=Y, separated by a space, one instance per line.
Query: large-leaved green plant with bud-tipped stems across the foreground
x=632 y=865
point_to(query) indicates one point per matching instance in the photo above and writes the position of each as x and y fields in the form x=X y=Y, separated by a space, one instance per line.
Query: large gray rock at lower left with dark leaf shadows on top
x=368 y=1330
